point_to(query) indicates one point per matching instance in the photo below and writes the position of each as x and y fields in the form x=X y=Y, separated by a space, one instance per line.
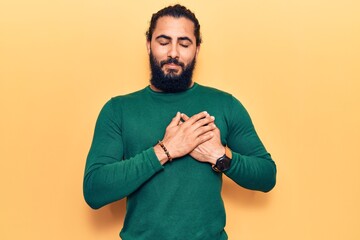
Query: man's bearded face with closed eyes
x=172 y=52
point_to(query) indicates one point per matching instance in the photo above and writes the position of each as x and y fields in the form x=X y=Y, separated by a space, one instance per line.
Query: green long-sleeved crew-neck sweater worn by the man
x=182 y=199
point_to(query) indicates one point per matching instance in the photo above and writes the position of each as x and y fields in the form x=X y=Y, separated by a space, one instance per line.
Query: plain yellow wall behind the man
x=293 y=64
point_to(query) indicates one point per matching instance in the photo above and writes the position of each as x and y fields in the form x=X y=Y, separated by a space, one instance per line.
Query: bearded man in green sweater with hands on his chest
x=167 y=146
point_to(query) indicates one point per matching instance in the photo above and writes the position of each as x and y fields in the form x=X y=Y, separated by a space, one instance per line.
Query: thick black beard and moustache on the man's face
x=171 y=82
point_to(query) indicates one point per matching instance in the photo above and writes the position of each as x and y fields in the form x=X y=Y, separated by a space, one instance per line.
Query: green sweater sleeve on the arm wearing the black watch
x=252 y=166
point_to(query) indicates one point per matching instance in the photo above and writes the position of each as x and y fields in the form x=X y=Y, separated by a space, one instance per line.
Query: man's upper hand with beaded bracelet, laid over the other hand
x=182 y=137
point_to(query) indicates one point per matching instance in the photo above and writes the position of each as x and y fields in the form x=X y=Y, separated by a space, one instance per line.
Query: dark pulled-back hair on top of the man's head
x=175 y=11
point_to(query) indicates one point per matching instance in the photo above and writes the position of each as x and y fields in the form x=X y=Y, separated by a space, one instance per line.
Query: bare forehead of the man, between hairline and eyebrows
x=174 y=27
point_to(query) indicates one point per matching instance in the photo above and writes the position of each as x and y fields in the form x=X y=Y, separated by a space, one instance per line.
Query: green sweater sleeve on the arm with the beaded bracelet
x=108 y=177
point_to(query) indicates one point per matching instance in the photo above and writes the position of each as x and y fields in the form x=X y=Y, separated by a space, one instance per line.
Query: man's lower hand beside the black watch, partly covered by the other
x=210 y=150
